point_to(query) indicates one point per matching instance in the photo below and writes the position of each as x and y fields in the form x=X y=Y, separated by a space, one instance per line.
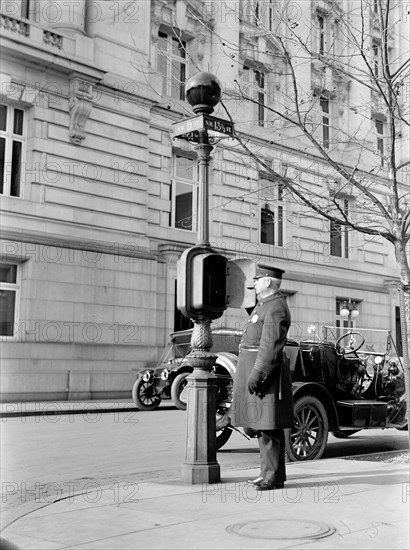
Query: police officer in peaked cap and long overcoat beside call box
x=262 y=392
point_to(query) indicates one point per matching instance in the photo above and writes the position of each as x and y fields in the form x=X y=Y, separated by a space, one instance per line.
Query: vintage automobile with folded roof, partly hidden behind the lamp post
x=168 y=379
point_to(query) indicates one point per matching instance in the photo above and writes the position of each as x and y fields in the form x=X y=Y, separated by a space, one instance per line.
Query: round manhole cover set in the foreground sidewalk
x=283 y=529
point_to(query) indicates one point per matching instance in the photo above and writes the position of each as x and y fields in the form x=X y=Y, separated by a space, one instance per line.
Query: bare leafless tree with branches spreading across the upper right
x=359 y=62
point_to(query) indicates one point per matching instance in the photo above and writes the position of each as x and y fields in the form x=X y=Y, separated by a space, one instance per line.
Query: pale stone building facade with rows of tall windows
x=98 y=201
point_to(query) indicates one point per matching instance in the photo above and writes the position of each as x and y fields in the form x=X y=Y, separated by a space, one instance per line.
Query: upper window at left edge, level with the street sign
x=12 y=139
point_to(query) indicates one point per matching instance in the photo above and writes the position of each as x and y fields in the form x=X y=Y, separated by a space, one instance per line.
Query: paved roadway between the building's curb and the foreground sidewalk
x=47 y=458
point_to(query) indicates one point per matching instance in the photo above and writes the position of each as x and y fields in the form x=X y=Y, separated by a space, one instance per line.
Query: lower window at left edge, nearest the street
x=8 y=298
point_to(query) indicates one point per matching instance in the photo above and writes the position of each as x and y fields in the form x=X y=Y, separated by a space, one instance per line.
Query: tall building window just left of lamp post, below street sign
x=184 y=193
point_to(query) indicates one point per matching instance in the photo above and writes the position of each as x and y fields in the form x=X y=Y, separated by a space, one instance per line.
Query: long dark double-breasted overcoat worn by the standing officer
x=261 y=351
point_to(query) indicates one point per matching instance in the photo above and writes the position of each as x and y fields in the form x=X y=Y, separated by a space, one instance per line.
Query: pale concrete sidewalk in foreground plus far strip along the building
x=329 y=503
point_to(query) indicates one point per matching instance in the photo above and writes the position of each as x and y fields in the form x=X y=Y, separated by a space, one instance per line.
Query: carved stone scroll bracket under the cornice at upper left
x=81 y=103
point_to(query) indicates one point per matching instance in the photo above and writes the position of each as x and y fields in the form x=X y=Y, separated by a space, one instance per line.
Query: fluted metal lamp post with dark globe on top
x=203 y=92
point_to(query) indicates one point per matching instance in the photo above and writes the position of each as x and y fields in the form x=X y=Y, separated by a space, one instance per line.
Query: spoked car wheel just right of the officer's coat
x=308 y=438
